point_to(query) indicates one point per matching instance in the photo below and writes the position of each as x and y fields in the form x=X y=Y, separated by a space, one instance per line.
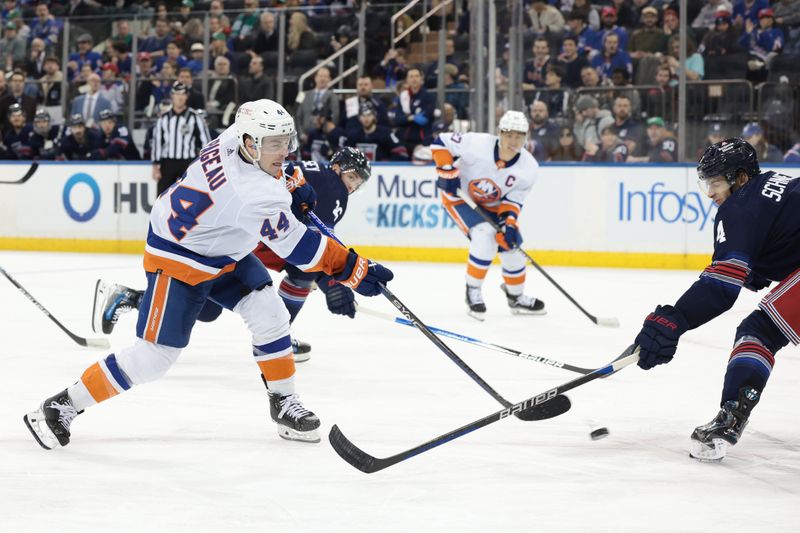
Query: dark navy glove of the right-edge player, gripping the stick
x=659 y=336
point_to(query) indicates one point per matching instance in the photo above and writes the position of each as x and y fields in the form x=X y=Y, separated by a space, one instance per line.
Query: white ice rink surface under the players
x=196 y=451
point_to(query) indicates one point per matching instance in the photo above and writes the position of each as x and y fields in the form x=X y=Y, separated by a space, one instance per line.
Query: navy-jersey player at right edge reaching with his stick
x=756 y=242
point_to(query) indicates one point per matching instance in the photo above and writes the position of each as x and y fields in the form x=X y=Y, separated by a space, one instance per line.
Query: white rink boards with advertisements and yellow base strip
x=601 y=215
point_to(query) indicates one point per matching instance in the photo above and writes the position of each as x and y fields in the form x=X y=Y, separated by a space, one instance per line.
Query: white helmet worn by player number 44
x=264 y=118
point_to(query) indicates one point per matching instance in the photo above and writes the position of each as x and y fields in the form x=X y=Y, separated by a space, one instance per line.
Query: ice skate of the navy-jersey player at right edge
x=710 y=442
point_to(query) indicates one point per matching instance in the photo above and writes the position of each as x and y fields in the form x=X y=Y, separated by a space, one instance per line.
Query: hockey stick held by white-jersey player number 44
x=560 y=406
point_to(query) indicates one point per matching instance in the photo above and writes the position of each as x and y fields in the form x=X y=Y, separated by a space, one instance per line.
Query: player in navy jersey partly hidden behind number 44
x=327 y=193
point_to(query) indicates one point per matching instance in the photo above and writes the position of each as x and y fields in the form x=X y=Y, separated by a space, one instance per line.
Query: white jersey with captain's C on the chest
x=494 y=184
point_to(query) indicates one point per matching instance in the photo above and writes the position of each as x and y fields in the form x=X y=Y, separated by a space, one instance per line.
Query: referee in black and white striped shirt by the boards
x=178 y=136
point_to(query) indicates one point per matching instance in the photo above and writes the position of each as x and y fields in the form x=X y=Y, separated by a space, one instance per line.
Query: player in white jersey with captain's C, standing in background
x=497 y=173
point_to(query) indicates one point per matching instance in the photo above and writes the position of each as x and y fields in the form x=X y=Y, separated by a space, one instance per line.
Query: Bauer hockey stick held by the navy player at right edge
x=369 y=464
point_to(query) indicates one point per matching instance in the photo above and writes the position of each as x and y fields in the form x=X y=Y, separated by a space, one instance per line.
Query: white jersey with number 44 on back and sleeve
x=216 y=214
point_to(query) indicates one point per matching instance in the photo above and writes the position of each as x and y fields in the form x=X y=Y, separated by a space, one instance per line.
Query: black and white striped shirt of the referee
x=179 y=135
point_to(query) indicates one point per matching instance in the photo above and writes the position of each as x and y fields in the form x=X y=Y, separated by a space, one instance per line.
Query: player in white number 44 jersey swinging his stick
x=202 y=231
